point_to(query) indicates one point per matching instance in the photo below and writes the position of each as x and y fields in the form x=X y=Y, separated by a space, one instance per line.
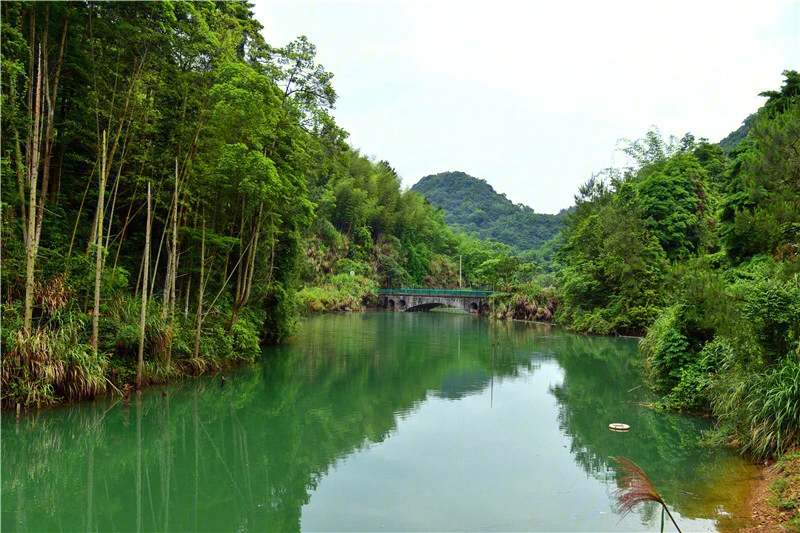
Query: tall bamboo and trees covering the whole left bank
x=170 y=181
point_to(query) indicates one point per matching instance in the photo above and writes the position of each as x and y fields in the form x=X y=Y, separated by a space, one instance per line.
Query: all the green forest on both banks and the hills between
x=176 y=193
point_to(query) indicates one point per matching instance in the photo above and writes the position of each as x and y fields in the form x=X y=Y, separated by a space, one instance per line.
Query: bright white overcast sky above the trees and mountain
x=532 y=96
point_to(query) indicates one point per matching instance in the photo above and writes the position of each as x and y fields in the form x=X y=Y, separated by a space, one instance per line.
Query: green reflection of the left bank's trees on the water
x=247 y=456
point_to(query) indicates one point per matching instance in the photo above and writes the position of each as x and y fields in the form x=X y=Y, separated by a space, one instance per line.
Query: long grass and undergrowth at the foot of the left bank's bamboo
x=57 y=364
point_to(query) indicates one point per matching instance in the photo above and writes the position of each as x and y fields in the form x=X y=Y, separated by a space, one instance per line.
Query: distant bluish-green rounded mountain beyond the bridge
x=472 y=206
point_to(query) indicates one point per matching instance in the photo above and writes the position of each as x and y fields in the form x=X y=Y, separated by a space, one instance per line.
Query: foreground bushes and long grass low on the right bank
x=731 y=347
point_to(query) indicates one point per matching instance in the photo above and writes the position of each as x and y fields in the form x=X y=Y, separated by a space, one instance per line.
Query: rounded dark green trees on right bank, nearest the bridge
x=614 y=267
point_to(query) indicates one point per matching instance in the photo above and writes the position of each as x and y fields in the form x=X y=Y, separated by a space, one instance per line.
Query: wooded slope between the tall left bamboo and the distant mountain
x=367 y=225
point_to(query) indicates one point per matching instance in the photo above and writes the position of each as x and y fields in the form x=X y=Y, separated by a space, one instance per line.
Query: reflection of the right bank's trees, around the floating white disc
x=603 y=384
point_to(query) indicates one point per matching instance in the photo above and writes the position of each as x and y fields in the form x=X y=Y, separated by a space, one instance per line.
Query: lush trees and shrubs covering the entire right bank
x=698 y=251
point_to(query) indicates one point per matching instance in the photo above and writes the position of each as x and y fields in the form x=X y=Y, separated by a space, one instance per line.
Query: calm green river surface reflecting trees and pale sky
x=371 y=422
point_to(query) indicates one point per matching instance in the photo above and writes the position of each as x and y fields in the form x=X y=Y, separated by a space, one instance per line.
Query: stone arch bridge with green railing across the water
x=471 y=301
